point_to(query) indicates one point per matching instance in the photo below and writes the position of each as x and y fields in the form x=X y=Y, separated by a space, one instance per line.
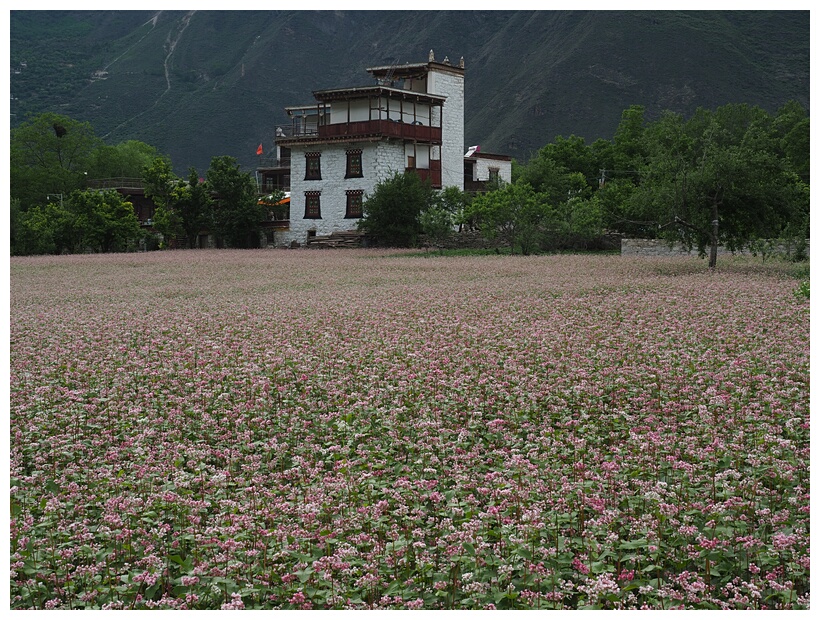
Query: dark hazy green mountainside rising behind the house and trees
x=199 y=84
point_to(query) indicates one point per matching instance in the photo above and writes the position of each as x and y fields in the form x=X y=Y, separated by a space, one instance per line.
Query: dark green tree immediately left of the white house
x=237 y=215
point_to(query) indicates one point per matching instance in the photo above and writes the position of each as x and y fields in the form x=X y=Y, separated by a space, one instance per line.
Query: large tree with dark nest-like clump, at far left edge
x=49 y=154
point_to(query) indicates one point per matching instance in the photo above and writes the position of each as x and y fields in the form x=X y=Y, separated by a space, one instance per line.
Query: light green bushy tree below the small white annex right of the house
x=517 y=213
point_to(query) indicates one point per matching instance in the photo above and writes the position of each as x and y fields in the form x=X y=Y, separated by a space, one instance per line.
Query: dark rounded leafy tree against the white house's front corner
x=392 y=213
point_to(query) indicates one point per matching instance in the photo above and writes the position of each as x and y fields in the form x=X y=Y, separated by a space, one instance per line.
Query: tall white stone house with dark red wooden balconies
x=339 y=148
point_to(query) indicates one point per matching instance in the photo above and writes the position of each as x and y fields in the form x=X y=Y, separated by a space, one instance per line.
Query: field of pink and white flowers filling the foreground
x=349 y=429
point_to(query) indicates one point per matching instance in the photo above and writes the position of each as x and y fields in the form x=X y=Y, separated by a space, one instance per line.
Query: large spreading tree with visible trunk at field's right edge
x=717 y=179
